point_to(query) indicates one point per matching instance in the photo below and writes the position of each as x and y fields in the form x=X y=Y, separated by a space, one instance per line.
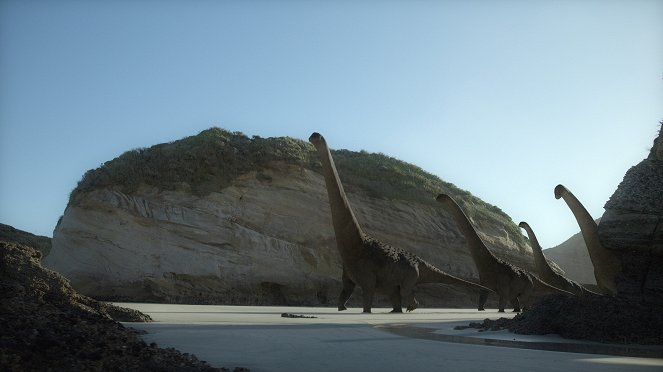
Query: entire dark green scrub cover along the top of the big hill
x=211 y=160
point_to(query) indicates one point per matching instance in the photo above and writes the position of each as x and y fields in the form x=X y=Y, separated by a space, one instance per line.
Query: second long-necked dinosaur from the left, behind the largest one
x=510 y=282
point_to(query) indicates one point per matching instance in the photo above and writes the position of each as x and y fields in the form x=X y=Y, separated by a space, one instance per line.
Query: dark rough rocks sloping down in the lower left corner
x=46 y=325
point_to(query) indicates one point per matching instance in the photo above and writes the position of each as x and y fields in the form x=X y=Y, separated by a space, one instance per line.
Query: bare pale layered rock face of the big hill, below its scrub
x=265 y=239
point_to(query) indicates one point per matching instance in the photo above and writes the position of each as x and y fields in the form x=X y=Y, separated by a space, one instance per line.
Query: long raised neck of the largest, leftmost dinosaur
x=347 y=229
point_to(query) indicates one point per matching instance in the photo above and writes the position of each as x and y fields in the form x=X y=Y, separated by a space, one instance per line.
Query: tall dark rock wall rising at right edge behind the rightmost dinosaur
x=632 y=226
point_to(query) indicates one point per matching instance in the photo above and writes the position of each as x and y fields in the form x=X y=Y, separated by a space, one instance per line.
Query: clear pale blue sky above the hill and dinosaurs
x=505 y=99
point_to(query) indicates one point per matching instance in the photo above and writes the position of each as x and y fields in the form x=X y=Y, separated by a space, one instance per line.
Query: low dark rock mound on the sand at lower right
x=593 y=318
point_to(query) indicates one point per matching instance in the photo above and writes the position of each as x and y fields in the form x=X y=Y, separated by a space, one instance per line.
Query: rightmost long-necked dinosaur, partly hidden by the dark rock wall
x=606 y=263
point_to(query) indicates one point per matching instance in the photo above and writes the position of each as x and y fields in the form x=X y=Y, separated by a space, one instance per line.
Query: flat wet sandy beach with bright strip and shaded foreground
x=261 y=339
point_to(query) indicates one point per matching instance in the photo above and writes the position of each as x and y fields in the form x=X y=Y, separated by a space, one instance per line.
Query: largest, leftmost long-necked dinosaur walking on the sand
x=367 y=262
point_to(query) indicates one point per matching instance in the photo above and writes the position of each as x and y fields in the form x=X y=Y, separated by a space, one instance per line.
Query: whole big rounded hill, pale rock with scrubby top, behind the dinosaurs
x=223 y=218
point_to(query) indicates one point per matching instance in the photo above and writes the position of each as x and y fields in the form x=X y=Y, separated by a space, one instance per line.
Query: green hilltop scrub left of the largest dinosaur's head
x=202 y=163
